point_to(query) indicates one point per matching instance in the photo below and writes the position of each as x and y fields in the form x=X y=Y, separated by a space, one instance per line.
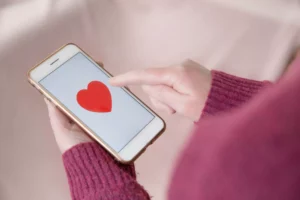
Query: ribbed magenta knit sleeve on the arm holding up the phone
x=94 y=174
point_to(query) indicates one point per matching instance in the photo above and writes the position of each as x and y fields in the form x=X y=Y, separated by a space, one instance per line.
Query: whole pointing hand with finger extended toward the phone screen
x=179 y=89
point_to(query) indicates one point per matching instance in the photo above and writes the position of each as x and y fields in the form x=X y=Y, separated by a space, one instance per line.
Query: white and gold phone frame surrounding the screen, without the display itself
x=136 y=146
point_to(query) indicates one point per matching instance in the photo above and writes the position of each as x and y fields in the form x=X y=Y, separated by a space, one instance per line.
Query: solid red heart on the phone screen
x=96 y=98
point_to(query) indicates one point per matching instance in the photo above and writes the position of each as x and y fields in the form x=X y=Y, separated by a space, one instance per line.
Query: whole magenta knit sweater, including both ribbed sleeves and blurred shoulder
x=246 y=153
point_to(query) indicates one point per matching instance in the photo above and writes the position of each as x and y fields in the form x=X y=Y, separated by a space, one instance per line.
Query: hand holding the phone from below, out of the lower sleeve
x=67 y=133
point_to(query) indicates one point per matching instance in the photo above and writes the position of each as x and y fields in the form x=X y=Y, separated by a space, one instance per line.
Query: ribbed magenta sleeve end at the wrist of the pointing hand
x=228 y=91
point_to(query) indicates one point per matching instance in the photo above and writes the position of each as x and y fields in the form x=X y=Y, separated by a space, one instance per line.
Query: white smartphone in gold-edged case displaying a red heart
x=113 y=116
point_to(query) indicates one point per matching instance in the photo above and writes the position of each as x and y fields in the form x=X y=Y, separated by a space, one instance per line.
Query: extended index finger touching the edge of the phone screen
x=150 y=76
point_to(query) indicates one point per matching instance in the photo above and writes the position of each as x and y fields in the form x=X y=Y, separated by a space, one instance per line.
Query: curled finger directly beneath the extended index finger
x=167 y=95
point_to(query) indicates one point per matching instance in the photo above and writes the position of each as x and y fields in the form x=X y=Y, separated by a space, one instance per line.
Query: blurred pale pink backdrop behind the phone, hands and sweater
x=248 y=38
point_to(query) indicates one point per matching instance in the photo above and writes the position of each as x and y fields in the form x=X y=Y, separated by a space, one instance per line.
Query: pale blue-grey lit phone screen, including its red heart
x=83 y=88
